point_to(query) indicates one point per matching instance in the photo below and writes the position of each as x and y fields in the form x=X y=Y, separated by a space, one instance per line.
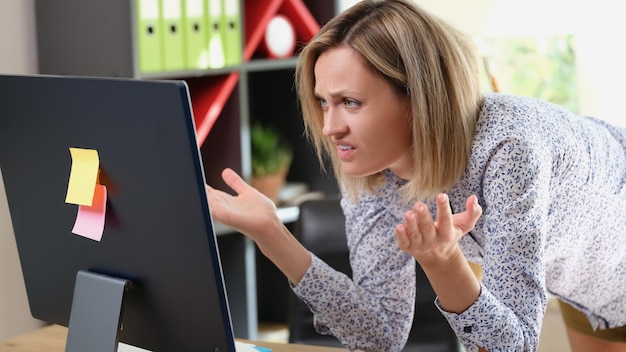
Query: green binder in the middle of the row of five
x=195 y=33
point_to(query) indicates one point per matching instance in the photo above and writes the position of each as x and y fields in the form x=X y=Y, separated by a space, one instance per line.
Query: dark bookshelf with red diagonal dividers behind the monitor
x=99 y=38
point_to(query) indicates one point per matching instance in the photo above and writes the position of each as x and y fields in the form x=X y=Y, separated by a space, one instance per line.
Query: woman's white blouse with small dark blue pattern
x=552 y=186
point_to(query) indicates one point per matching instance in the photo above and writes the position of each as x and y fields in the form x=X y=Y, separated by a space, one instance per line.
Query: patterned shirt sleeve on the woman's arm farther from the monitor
x=507 y=315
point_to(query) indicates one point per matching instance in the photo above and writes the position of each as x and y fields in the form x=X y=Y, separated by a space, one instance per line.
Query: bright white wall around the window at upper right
x=597 y=26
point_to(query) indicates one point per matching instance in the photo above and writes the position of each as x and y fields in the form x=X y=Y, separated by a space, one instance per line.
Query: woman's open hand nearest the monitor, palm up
x=249 y=211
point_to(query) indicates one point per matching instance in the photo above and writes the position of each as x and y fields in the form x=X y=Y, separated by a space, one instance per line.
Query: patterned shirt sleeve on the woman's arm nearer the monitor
x=372 y=311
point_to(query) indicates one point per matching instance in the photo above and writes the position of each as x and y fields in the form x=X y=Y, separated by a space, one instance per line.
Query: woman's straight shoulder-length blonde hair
x=424 y=59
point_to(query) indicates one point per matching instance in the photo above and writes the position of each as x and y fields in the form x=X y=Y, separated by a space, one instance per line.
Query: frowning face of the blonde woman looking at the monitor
x=363 y=115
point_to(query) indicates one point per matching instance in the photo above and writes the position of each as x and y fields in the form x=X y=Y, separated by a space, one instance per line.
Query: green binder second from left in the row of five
x=173 y=35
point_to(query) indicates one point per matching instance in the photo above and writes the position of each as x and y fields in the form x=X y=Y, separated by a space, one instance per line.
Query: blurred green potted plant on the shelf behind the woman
x=271 y=158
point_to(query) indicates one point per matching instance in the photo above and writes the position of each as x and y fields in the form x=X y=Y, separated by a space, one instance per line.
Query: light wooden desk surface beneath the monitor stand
x=52 y=339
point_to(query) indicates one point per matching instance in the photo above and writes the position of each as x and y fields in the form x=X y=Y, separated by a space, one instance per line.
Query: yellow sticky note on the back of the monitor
x=83 y=176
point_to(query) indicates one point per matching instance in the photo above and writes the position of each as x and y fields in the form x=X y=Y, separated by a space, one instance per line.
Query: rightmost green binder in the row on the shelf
x=231 y=32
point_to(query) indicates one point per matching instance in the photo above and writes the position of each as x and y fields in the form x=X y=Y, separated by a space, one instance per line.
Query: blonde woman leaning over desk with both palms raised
x=533 y=193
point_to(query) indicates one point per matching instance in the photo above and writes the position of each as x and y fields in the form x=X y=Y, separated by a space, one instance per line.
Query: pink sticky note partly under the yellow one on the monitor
x=90 y=219
